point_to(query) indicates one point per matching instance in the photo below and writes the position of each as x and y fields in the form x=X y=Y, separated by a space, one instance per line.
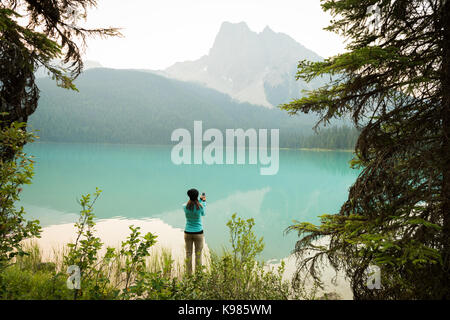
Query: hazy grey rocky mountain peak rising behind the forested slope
x=251 y=67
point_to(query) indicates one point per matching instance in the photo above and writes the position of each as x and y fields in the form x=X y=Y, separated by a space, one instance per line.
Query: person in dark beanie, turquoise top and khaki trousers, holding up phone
x=194 y=210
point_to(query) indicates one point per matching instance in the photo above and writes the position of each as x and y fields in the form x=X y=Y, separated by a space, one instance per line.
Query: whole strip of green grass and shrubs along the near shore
x=139 y=270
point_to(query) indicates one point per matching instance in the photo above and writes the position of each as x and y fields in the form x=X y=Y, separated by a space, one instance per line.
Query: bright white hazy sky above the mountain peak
x=158 y=33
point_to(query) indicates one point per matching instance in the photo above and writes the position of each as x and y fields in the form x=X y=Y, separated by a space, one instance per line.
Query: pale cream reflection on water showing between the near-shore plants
x=113 y=231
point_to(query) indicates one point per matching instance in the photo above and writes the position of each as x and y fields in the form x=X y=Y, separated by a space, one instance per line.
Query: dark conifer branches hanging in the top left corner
x=44 y=32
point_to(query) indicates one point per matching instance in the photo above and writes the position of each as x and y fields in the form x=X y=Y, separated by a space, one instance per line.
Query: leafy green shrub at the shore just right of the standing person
x=237 y=274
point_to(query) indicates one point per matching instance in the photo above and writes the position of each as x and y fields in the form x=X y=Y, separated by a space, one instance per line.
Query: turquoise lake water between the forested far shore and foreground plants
x=141 y=182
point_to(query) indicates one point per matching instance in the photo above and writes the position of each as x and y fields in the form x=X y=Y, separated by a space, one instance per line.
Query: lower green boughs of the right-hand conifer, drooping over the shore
x=384 y=249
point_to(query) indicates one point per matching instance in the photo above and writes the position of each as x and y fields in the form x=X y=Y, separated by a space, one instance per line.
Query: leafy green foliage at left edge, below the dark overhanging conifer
x=15 y=170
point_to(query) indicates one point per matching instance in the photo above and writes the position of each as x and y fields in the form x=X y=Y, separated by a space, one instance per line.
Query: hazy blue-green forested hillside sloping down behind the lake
x=128 y=106
